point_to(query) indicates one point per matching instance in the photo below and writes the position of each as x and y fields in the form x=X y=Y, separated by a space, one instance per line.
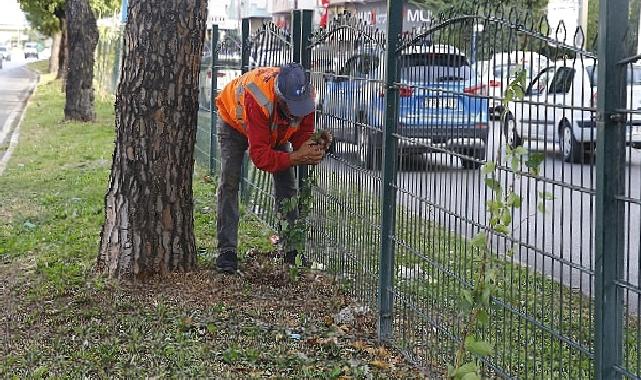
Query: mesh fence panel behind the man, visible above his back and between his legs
x=269 y=46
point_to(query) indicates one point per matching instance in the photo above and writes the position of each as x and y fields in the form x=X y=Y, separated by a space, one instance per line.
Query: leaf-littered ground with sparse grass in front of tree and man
x=259 y=324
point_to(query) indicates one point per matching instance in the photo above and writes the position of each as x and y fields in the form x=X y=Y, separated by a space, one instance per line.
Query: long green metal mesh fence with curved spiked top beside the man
x=400 y=198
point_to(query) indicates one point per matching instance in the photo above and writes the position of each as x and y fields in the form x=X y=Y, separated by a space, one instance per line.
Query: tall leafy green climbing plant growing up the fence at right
x=476 y=302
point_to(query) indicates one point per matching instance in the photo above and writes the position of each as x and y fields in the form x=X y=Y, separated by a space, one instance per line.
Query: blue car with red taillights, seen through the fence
x=442 y=105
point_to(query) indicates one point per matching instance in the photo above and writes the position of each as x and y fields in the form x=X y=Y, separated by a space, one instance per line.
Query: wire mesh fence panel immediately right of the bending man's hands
x=347 y=70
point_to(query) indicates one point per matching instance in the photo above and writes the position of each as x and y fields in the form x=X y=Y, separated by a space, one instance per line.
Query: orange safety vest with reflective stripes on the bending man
x=259 y=83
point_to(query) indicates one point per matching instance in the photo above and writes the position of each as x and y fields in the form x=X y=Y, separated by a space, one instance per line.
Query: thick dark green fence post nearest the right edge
x=610 y=167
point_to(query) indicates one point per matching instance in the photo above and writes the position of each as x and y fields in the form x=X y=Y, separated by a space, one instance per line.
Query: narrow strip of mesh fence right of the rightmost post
x=630 y=201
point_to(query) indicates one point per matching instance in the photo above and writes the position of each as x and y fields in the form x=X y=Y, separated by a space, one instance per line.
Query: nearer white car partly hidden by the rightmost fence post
x=559 y=107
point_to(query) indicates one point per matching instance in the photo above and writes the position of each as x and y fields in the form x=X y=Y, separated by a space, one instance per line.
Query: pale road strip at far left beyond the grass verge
x=16 y=83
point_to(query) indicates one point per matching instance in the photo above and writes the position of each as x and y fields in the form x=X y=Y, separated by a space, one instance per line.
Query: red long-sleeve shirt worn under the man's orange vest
x=261 y=149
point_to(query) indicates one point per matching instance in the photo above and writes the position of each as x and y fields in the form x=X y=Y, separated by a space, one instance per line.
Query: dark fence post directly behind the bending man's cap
x=301 y=33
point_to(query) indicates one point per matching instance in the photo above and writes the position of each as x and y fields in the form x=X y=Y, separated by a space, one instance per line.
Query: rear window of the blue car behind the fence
x=435 y=67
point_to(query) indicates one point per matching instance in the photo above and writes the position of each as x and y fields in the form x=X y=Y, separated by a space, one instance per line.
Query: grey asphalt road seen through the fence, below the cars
x=558 y=242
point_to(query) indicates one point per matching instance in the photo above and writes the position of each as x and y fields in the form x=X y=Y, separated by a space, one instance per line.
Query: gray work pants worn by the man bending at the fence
x=232 y=149
